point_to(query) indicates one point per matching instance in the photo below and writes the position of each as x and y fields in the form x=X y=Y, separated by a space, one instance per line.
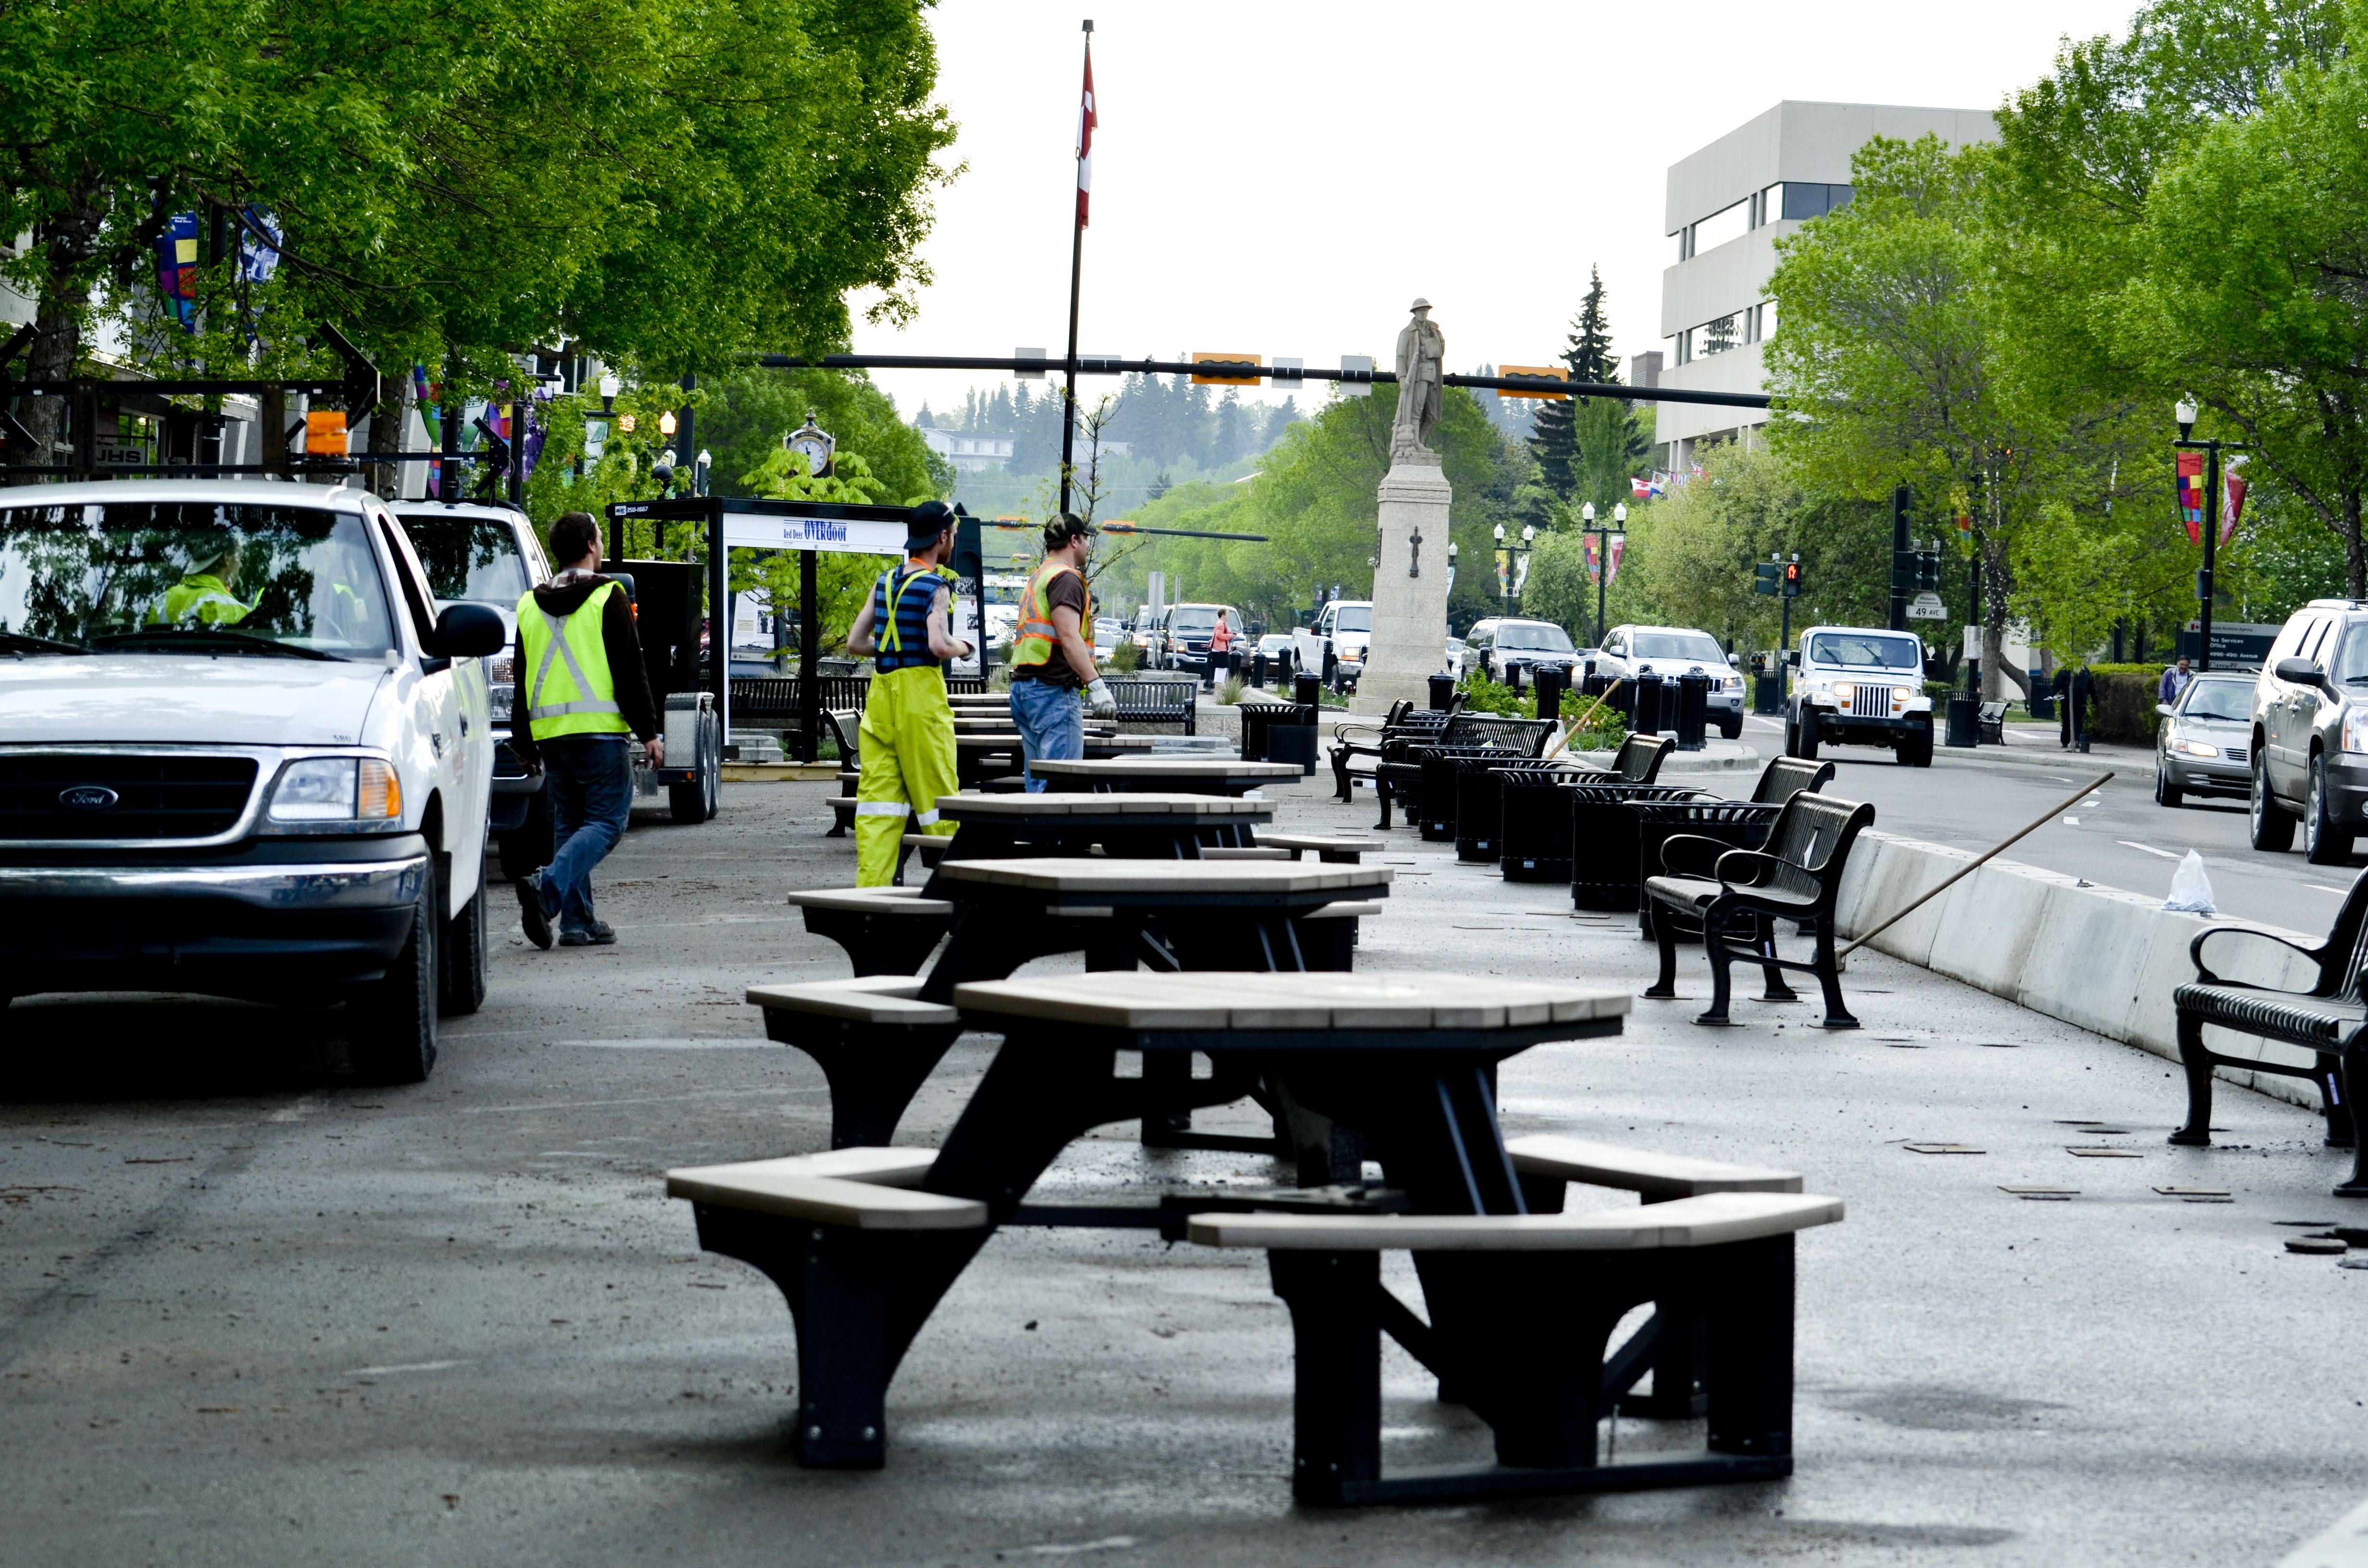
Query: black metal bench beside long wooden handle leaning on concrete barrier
x=1742 y=894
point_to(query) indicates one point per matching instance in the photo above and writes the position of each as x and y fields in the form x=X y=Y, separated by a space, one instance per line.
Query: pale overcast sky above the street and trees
x=1285 y=176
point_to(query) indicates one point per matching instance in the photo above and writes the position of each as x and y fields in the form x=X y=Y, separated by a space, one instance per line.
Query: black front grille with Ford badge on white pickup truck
x=124 y=797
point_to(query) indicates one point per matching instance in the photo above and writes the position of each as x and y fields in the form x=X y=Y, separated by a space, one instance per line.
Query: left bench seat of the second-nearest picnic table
x=873 y=1039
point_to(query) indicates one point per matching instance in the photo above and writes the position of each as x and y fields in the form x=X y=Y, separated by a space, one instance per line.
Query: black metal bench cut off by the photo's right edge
x=2329 y=1020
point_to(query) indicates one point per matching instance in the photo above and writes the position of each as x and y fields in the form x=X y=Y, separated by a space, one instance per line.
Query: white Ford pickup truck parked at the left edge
x=243 y=754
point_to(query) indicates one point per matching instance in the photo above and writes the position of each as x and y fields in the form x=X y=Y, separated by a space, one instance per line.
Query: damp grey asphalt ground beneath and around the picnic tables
x=255 y=1313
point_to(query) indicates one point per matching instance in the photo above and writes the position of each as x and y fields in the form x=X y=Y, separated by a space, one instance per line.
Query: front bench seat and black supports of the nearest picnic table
x=1524 y=1311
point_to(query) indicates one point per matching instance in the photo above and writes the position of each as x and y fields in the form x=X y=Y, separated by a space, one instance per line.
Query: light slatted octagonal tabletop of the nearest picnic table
x=1204 y=1001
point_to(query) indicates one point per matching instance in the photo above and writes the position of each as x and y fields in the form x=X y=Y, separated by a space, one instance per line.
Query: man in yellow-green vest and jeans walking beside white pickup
x=581 y=688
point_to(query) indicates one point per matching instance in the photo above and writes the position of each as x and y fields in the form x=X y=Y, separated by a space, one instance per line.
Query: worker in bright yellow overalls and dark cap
x=908 y=733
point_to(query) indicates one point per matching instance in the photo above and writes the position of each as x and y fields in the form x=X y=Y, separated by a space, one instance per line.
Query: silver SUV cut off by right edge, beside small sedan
x=2310 y=733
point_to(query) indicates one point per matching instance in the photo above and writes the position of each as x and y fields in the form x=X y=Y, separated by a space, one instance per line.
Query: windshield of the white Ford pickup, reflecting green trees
x=160 y=577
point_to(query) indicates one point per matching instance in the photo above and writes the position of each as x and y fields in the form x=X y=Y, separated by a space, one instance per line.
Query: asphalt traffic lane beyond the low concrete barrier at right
x=2116 y=837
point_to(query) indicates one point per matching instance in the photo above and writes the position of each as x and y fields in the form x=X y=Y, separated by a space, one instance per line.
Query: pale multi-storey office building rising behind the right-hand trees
x=1727 y=210
